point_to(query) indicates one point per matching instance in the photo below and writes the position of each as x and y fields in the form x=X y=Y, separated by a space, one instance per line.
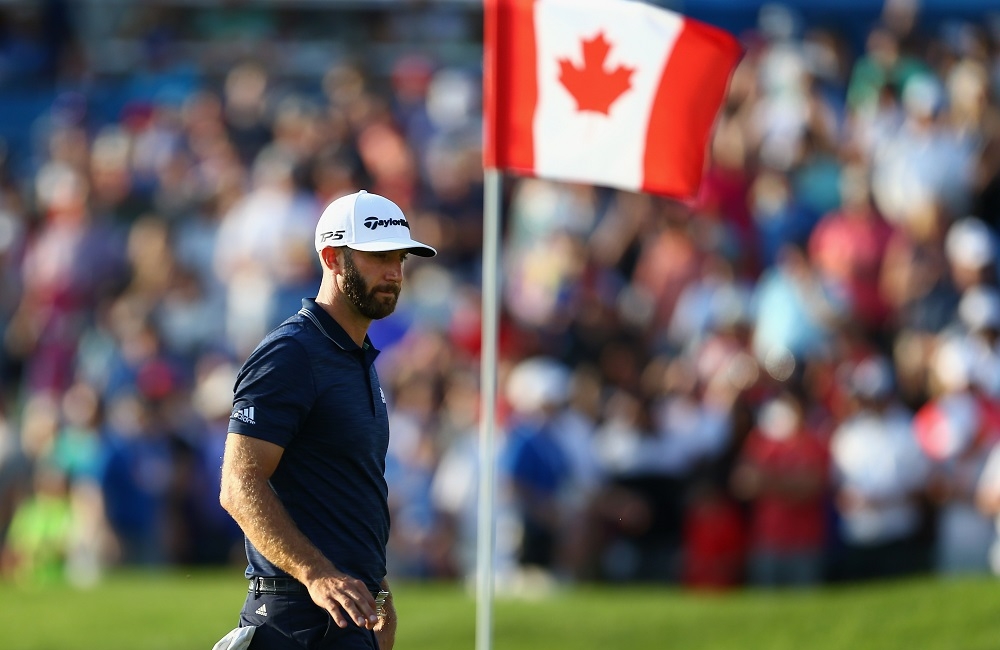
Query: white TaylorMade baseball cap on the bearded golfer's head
x=367 y=222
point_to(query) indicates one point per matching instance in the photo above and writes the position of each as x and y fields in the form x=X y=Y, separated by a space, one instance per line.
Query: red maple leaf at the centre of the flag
x=594 y=88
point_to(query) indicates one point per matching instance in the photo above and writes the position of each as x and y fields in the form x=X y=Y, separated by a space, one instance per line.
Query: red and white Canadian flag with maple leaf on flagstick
x=604 y=92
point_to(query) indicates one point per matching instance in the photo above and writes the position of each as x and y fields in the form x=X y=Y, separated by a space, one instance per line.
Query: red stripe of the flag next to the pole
x=510 y=85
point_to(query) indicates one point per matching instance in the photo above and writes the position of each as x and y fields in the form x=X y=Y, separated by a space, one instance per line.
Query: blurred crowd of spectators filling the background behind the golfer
x=793 y=380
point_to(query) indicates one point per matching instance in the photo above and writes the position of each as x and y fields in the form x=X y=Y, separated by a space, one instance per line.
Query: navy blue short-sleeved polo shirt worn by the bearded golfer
x=310 y=389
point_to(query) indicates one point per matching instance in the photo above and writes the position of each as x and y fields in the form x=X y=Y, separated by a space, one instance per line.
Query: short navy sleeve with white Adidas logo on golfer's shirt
x=274 y=392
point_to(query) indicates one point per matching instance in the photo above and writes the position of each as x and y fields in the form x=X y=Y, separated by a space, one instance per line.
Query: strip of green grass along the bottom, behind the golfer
x=191 y=610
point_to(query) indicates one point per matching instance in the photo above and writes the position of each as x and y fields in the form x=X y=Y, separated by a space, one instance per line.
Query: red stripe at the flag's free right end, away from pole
x=687 y=102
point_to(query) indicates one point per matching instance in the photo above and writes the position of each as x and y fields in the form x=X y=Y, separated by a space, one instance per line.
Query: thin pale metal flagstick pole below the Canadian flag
x=486 y=542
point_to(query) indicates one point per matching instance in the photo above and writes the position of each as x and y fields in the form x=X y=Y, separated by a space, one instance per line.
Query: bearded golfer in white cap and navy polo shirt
x=303 y=471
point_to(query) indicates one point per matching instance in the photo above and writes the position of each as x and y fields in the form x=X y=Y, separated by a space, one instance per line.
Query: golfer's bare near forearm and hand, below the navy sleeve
x=247 y=466
